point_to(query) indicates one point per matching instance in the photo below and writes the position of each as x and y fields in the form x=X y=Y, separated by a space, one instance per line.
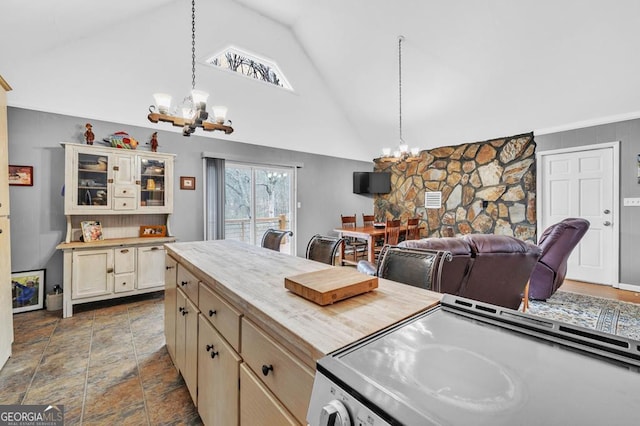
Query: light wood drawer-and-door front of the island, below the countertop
x=225 y=338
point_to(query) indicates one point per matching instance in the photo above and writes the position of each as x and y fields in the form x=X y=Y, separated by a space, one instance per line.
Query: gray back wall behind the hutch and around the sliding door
x=37 y=213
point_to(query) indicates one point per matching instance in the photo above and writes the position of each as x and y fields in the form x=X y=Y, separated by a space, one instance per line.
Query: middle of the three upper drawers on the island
x=222 y=315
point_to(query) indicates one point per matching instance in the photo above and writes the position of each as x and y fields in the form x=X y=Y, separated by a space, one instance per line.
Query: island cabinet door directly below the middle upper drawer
x=218 y=377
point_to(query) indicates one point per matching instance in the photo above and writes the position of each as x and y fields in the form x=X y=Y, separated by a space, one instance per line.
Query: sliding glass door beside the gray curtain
x=258 y=198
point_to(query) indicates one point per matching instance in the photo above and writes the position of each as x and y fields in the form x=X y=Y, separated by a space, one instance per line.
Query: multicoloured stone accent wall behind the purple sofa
x=499 y=172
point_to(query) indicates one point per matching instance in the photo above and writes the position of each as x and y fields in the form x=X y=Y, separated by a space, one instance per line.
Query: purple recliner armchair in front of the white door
x=557 y=242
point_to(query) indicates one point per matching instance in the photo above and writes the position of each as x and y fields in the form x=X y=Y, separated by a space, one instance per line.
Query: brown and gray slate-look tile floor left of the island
x=107 y=364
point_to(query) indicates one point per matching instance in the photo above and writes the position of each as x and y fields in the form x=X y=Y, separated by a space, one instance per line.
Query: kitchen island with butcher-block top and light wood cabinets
x=229 y=318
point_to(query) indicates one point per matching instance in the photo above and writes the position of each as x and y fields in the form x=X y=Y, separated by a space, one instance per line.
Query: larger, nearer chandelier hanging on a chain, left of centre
x=193 y=108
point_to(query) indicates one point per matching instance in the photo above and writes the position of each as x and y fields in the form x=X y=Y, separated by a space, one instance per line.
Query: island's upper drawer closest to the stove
x=290 y=380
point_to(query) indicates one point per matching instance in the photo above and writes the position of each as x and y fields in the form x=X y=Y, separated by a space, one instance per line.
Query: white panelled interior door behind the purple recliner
x=582 y=183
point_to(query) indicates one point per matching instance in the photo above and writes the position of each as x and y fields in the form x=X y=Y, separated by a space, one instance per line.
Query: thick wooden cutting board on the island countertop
x=330 y=285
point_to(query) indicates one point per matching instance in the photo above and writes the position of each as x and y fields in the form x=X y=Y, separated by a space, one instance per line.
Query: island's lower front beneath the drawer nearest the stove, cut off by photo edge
x=258 y=407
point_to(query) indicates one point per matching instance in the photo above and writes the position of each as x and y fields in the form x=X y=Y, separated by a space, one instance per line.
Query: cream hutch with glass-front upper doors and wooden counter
x=123 y=190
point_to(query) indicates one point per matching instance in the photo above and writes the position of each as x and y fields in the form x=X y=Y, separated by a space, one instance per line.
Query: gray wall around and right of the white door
x=628 y=133
